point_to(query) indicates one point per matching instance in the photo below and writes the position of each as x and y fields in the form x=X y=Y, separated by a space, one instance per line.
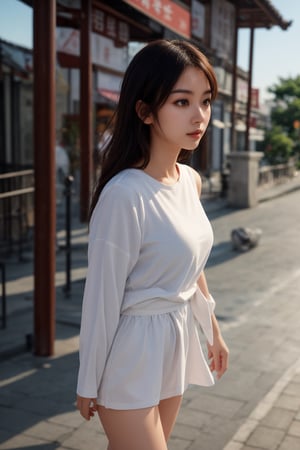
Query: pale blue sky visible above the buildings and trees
x=276 y=52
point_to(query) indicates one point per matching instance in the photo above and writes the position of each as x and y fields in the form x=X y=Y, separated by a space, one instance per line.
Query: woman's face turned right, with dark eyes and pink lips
x=182 y=120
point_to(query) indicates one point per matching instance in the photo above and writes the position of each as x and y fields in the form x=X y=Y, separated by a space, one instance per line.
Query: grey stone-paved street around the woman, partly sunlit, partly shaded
x=255 y=406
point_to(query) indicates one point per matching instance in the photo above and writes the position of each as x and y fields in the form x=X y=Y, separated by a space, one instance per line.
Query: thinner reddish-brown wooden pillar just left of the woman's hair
x=86 y=125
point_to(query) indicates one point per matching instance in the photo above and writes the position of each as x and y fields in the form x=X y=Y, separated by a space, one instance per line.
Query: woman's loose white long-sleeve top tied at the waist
x=148 y=244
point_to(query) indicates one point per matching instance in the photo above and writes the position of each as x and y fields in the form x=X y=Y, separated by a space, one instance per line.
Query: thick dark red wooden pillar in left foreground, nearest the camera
x=44 y=164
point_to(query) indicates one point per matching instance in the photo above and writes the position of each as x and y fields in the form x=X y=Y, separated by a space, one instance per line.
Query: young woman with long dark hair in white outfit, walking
x=149 y=242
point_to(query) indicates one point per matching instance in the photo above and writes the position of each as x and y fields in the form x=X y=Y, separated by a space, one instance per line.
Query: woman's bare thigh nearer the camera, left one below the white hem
x=136 y=429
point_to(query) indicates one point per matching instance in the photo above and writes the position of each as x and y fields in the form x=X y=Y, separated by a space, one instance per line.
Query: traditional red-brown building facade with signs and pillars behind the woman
x=81 y=50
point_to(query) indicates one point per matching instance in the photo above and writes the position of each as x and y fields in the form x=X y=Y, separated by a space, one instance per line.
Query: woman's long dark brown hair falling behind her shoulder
x=150 y=77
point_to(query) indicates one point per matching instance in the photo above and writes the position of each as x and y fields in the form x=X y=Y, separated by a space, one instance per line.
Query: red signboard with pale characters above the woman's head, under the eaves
x=167 y=13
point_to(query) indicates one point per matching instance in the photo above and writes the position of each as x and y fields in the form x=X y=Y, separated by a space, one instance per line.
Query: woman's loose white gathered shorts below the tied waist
x=153 y=357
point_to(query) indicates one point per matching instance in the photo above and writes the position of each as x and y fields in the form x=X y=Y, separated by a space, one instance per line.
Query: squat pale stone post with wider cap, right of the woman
x=243 y=180
